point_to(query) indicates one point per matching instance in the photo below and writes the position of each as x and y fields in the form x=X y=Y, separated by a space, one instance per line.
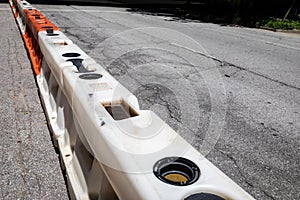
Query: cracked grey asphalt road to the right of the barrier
x=233 y=92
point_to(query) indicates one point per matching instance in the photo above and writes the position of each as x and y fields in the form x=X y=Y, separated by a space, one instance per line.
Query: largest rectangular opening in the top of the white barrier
x=120 y=110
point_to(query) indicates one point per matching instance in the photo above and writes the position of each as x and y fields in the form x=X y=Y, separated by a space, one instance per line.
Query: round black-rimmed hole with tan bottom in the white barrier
x=176 y=171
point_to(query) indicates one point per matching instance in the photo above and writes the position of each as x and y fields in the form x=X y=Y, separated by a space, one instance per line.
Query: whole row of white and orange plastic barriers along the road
x=110 y=149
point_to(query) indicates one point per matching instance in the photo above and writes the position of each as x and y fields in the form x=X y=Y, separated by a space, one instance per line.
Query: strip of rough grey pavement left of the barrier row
x=29 y=165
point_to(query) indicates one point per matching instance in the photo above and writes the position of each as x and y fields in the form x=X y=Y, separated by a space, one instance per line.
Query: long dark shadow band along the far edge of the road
x=201 y=11
